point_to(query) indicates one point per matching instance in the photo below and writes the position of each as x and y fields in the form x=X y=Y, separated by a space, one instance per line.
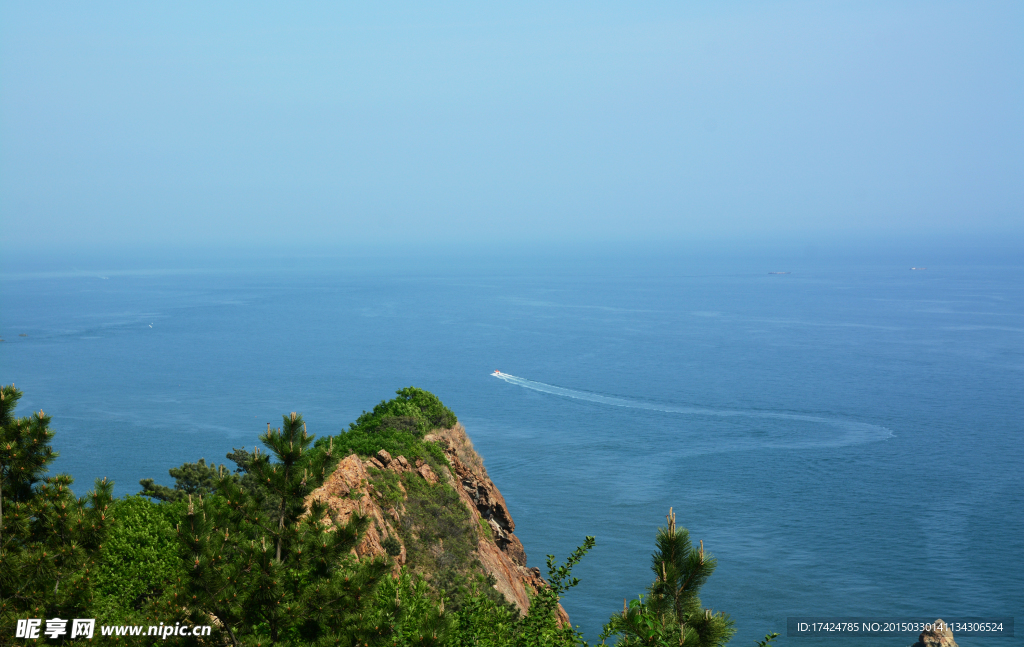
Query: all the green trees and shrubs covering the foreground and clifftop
x=242 y=552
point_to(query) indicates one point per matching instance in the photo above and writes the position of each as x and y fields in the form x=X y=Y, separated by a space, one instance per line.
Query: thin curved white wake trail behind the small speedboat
x=854 y=433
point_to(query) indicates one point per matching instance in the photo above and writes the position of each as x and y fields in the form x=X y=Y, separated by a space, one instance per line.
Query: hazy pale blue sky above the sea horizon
x=252 y=123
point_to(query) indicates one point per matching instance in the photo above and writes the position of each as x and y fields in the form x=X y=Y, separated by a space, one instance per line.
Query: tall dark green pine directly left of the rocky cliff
x=267 y=569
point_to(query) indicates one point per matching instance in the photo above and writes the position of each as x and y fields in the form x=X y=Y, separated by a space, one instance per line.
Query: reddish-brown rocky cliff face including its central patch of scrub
x=403 y=498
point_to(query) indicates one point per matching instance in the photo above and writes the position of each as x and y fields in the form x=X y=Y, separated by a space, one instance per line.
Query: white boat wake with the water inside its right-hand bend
x=773 y=433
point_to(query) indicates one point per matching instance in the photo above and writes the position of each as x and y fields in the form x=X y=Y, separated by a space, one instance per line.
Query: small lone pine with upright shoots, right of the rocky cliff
x=672 y=615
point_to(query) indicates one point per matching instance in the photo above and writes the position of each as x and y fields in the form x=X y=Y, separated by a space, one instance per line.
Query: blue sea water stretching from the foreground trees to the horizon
x=846 y=440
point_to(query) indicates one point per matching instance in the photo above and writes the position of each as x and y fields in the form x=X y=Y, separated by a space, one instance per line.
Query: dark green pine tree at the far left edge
x=50 y=540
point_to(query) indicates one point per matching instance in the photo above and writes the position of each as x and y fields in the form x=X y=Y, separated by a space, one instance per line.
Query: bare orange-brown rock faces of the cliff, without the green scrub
x=351 y=489
